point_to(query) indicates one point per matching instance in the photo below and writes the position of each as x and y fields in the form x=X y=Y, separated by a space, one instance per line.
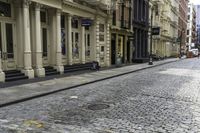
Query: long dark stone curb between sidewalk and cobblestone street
x=71 y=87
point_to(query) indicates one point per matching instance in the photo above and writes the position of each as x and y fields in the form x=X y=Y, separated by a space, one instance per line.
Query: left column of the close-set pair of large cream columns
x=27 y=43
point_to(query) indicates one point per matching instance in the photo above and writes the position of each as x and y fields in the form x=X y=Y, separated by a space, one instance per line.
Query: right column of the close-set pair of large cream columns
x=39 y=70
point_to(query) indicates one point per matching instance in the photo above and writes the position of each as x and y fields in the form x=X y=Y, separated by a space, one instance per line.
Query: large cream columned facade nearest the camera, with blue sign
x=35 y=34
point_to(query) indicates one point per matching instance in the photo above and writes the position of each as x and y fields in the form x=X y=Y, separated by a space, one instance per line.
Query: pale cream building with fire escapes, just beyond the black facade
x=165 y=16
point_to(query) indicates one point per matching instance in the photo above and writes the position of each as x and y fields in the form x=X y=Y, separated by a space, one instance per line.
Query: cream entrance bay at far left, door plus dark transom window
x=7 y=36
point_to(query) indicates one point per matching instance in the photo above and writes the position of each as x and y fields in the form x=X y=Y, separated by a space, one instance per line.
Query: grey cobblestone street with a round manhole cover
x=157 y=100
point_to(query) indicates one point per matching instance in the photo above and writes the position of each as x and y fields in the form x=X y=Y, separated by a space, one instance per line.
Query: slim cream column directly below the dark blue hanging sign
x=83 y=45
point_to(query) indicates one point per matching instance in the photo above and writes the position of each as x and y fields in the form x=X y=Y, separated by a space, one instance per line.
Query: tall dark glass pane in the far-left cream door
x=9 y=40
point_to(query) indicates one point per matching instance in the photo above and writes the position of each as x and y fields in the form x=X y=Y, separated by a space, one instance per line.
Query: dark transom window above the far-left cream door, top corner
x=5 y=9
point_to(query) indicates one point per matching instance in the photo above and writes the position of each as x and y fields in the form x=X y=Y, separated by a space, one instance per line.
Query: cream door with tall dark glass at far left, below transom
x=7 y=47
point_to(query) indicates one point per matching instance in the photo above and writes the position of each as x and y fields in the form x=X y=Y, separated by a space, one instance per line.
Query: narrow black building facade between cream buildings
x=140 y=28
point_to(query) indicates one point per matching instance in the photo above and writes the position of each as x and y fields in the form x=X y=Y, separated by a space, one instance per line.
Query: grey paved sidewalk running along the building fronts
x=15 y=94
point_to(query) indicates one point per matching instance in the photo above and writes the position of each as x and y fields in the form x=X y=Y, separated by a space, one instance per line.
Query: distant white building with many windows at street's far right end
x=191 y=27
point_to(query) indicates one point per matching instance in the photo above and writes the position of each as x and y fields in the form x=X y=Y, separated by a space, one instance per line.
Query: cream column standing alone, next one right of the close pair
x=59 y=65
